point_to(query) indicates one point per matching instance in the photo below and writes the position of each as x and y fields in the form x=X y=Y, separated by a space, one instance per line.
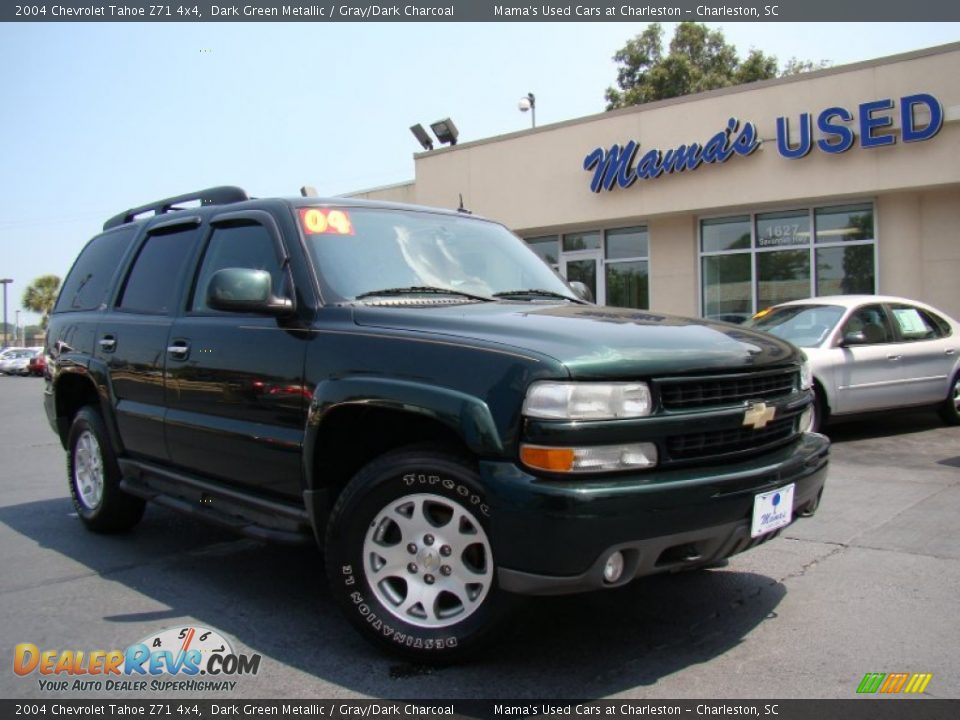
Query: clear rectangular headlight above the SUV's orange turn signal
x=587 y=401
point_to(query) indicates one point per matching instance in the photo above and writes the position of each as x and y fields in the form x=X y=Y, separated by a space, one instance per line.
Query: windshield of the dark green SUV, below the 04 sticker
x=396 y=249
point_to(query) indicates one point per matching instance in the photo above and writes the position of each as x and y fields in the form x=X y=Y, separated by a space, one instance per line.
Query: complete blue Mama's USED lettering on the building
x=622 y=166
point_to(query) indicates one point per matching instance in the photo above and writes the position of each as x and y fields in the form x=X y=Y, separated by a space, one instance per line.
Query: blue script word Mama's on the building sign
x=616 y=165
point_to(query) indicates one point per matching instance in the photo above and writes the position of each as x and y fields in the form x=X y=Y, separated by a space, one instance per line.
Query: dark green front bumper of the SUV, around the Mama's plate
x=553 y=536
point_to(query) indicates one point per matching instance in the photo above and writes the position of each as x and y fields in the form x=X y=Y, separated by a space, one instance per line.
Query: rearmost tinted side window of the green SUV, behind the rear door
x=88 y=281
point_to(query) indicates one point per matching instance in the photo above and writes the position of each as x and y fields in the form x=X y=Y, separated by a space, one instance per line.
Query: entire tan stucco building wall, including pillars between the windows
x=533 y=181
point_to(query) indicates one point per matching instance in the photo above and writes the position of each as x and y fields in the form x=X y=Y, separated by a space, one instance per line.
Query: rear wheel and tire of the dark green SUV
x=94 y=477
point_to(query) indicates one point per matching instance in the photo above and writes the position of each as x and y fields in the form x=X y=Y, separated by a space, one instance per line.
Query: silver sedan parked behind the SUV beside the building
x=872 y=352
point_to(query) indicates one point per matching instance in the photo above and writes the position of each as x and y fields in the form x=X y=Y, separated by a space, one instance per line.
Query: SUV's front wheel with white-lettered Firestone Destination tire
x=409 y=556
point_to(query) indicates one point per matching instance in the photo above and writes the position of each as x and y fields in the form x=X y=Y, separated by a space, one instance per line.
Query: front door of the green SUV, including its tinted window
x=235 y=395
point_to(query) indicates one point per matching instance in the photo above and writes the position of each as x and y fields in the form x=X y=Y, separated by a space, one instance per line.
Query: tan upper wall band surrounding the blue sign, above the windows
x=534 y=180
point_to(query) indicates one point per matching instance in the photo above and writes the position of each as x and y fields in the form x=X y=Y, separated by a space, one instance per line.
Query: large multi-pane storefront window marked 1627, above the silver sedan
x=749 y=262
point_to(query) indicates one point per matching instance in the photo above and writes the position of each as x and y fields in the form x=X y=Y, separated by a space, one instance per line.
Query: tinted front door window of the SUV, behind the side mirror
x=237 y=246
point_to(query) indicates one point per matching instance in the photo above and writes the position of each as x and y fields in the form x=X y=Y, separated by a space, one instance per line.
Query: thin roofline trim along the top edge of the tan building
x=719 y=92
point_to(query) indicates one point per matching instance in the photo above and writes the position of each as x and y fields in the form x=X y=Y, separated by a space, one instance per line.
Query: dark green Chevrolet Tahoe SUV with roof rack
x=419 y=393
